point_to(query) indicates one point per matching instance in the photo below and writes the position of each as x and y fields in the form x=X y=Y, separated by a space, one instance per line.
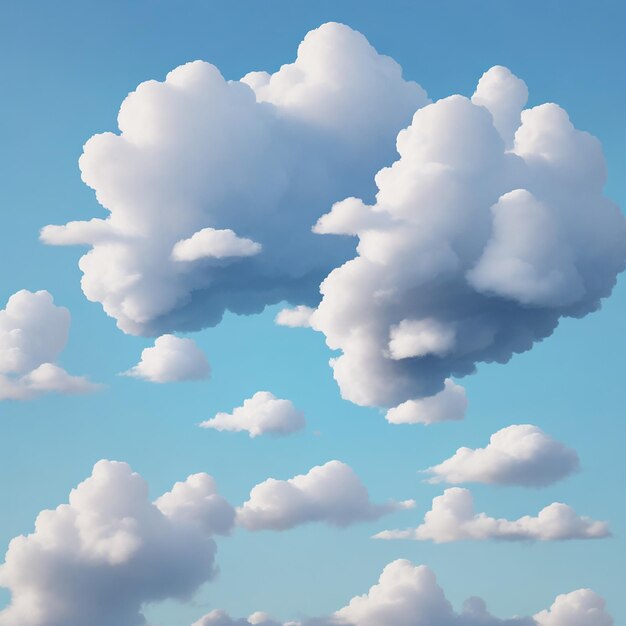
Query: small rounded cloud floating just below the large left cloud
x=171 y=359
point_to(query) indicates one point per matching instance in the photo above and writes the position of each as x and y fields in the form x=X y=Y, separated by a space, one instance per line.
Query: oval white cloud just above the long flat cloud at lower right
x=521 y=454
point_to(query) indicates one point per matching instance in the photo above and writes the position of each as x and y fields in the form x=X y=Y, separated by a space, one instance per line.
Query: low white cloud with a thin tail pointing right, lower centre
x=330 y=493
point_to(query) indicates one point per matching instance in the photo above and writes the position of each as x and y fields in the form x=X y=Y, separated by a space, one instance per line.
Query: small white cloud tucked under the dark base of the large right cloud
x=449 y=404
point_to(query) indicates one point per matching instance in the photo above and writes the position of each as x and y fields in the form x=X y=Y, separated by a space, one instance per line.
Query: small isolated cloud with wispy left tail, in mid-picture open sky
x=261 y=414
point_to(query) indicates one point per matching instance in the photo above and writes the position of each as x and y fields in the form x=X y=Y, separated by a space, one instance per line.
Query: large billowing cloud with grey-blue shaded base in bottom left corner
x=99 y=558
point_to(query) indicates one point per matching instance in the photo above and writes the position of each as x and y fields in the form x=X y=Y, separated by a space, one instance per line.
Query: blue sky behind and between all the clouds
x=66 y=67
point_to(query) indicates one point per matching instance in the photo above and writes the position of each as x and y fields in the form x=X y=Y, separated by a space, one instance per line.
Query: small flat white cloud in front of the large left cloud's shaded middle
x=210 y=243
